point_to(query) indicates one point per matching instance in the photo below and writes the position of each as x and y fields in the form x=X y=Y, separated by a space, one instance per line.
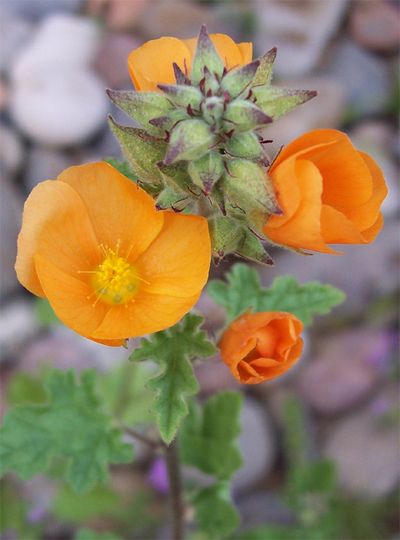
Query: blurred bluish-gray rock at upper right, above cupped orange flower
x=366 y=79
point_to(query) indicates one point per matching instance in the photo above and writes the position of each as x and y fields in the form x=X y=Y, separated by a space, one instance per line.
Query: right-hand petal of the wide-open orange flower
x=178 y=261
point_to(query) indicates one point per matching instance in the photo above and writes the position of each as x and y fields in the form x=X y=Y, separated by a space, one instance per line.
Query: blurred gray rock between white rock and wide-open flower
x=45 y=164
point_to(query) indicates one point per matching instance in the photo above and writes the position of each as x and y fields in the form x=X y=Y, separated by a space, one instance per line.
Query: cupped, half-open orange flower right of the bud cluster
x=330 y=193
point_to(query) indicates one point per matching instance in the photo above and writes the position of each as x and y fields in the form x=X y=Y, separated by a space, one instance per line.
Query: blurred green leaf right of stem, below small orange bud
x=208 y=438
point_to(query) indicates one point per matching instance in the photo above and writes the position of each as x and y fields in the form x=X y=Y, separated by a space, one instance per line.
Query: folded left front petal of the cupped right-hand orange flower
x=303 y=230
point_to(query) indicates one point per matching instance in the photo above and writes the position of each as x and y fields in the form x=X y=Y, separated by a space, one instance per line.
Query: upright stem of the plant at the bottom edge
x=175 y=489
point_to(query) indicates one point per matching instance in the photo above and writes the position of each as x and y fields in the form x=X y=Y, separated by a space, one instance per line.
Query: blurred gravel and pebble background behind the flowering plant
x=56 y=59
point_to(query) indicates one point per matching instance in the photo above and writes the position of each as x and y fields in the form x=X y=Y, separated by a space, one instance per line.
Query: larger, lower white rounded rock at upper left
x=59 y=109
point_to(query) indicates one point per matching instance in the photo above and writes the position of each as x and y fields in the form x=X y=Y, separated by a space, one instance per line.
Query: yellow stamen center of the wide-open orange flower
x=115 y=281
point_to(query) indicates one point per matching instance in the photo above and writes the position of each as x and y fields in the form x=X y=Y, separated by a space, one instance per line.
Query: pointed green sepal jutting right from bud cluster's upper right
x=276 y=102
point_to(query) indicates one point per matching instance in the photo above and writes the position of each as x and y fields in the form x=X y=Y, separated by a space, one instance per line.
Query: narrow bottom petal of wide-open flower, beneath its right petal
x=148 y=313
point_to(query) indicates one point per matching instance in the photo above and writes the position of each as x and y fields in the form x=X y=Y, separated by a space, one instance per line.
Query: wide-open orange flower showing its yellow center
x=109 y=263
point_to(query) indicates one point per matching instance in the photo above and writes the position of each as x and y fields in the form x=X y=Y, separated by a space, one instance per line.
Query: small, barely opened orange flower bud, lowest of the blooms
x=258 y=347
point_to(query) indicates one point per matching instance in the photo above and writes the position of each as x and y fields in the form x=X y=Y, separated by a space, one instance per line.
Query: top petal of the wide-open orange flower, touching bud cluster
x=123 y=215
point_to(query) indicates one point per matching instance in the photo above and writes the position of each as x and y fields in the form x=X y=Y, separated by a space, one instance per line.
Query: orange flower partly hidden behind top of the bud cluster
x=152 y=63
